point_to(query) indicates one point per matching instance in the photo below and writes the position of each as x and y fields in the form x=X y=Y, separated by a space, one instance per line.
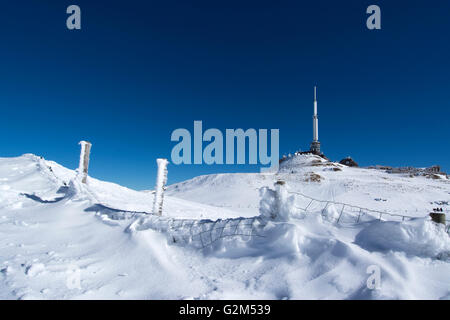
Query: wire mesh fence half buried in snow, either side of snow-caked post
x=203 y=233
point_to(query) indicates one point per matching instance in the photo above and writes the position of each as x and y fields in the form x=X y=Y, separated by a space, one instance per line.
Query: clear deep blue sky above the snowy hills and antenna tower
x=140 y=69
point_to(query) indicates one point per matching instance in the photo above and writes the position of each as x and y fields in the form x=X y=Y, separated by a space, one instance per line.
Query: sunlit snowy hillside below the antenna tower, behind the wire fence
x=368 y=188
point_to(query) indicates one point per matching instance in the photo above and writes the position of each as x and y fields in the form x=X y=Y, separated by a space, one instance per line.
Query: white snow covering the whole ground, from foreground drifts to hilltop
x=223 y=236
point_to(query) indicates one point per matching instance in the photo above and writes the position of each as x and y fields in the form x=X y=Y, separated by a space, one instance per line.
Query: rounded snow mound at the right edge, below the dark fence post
x=418 y=237
